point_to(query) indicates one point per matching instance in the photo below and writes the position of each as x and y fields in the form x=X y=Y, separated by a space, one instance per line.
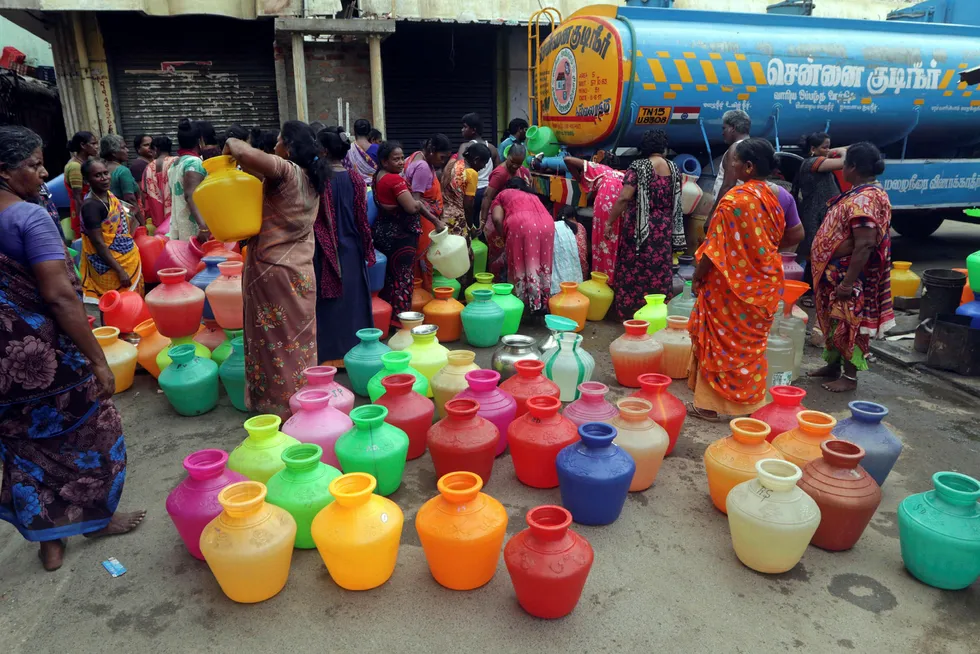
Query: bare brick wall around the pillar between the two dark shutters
x=333 y=70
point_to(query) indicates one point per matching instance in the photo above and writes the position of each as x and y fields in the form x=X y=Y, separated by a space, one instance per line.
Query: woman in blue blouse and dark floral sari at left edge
x=61 y=440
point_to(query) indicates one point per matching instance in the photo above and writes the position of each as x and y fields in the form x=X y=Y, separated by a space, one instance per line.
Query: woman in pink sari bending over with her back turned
x=527 y=231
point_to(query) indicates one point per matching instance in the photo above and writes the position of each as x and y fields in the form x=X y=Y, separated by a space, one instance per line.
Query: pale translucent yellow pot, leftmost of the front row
x=249 y=546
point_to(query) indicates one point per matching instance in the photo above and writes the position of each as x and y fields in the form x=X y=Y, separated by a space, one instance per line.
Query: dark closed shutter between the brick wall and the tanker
x=435 y=73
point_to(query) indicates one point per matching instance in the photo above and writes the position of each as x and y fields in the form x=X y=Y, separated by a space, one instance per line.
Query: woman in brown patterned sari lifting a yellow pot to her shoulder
x=279 y=285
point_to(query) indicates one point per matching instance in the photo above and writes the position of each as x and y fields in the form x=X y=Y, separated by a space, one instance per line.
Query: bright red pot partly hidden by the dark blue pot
x=535 y=440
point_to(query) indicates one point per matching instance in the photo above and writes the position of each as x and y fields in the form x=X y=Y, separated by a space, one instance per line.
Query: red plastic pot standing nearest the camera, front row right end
x=548 y=563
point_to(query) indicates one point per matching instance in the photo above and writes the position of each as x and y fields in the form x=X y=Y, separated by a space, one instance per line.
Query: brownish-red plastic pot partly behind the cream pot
x=846 y=494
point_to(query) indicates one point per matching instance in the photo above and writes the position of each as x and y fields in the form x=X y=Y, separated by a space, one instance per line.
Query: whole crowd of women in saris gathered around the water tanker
x=306 y=290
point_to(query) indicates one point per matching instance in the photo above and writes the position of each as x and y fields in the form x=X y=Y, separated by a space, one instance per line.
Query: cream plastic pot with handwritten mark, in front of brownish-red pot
x=770 y=519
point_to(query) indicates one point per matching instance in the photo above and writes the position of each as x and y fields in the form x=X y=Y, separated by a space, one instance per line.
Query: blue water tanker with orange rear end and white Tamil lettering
x=607 y=74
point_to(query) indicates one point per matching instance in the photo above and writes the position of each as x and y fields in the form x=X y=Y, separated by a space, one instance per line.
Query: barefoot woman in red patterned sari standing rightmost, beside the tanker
x=851 y=260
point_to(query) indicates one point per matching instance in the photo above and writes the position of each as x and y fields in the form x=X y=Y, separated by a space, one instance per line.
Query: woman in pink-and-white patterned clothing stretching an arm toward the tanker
x=605 y=184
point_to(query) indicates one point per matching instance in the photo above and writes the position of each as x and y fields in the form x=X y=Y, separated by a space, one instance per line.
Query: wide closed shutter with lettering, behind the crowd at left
x=203 y=67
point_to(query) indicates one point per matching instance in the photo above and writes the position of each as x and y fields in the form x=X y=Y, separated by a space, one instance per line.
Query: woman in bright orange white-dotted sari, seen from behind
x=738 y=282
